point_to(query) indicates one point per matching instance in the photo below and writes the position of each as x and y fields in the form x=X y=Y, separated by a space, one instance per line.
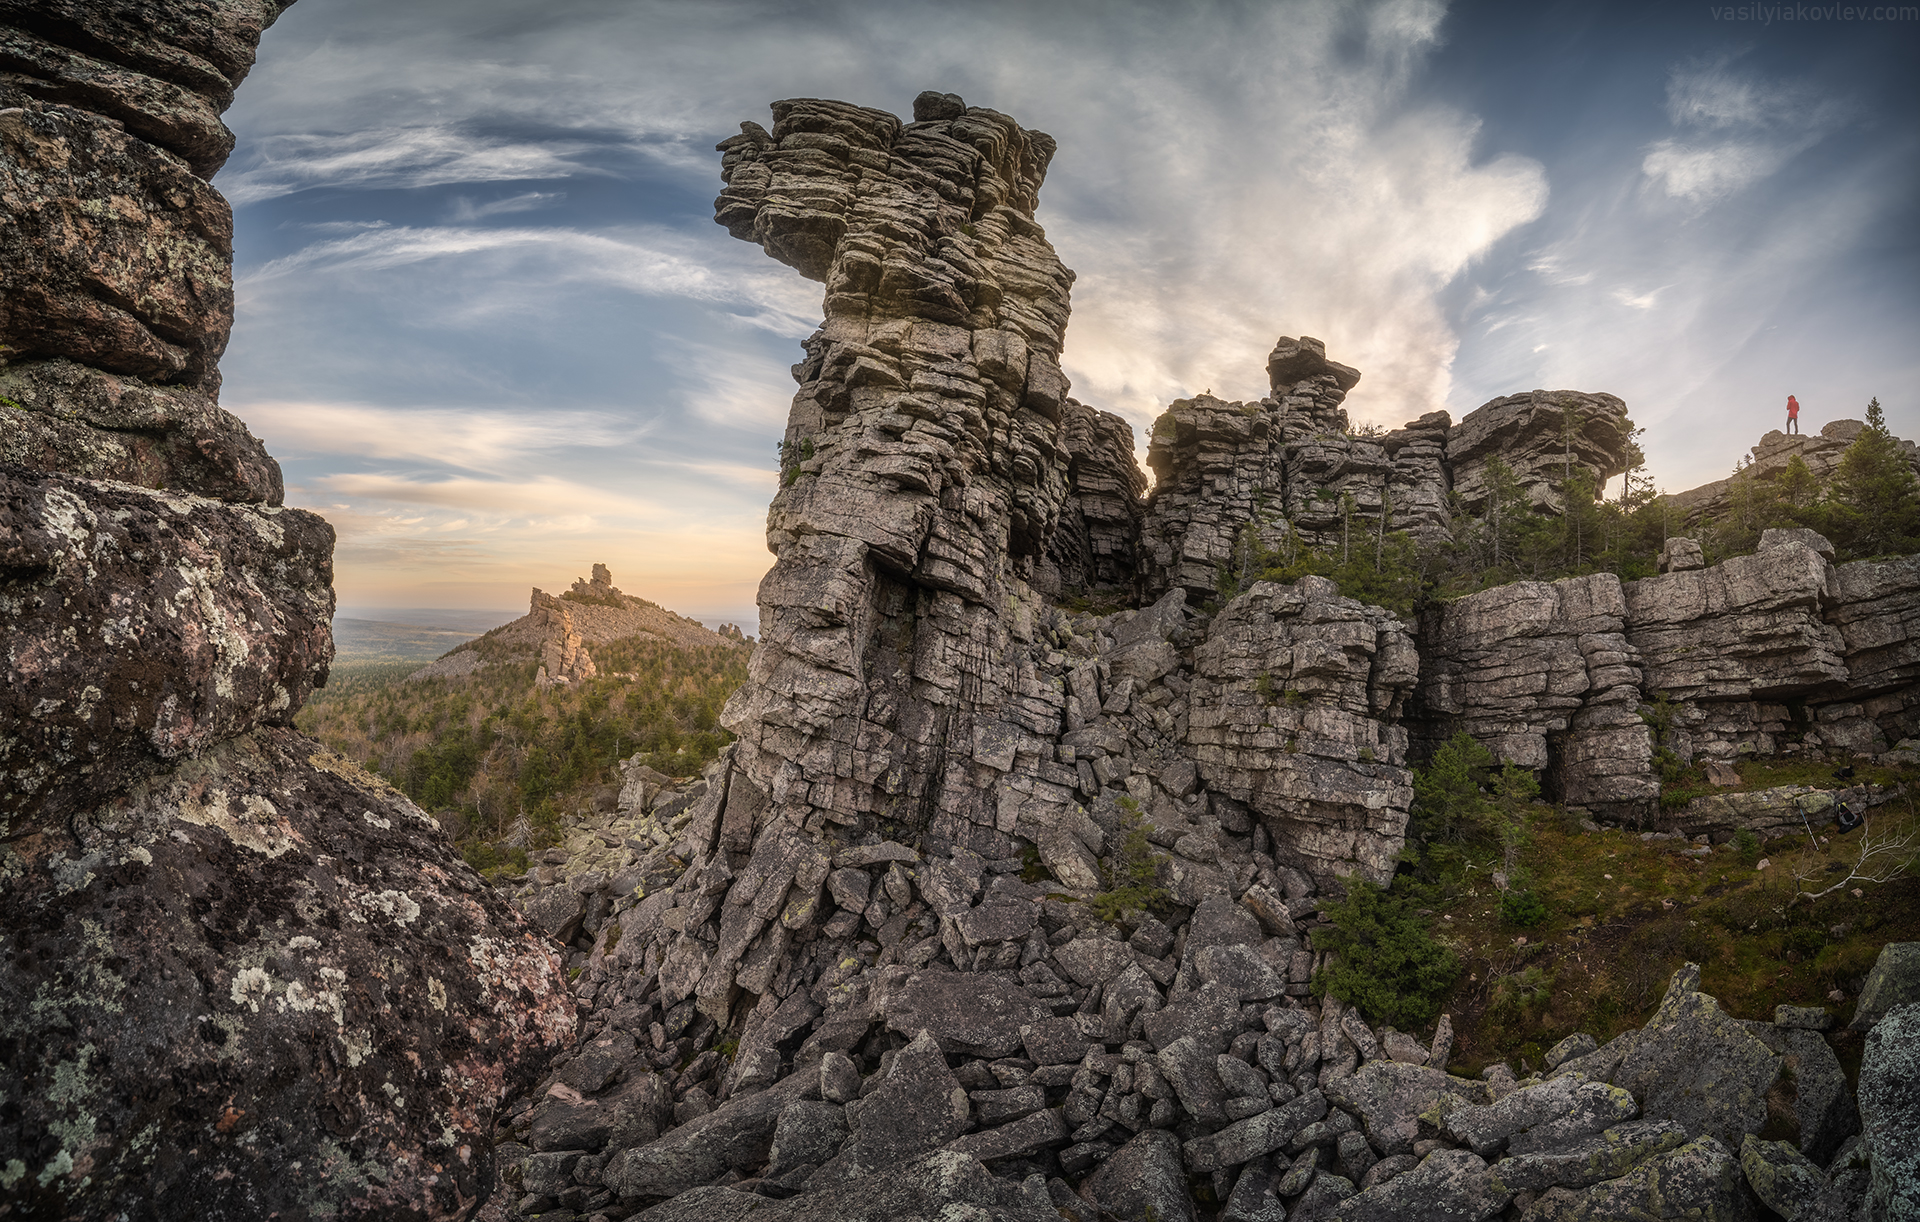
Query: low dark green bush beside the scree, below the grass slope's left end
x=1385 y=958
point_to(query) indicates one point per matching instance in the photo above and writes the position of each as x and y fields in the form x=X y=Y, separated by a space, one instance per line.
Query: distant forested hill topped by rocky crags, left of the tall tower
x=510 y=733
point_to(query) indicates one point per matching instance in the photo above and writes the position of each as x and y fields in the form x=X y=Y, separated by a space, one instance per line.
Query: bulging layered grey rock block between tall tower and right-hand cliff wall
x=1295 y=700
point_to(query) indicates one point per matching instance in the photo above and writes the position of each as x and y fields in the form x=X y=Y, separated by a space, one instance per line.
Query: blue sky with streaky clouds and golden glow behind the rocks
x=492 y=333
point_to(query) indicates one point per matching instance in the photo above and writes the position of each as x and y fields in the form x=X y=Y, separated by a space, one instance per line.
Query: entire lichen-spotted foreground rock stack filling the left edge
x=243 y=979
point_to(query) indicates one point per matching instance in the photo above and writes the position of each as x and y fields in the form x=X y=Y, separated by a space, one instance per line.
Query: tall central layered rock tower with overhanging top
x=924 y=466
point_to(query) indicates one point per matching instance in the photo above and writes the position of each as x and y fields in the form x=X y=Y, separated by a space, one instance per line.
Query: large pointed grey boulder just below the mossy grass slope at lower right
x=1700 y=1067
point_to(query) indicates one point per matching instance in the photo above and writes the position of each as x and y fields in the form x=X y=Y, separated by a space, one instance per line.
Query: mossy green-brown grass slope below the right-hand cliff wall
x=1623 y=914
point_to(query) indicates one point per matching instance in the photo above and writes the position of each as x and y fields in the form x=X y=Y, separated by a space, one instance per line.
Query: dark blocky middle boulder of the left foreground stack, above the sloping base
x=147 y=627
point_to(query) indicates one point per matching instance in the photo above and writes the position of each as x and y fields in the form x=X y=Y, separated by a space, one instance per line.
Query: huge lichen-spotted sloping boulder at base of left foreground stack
x=277 y=969
